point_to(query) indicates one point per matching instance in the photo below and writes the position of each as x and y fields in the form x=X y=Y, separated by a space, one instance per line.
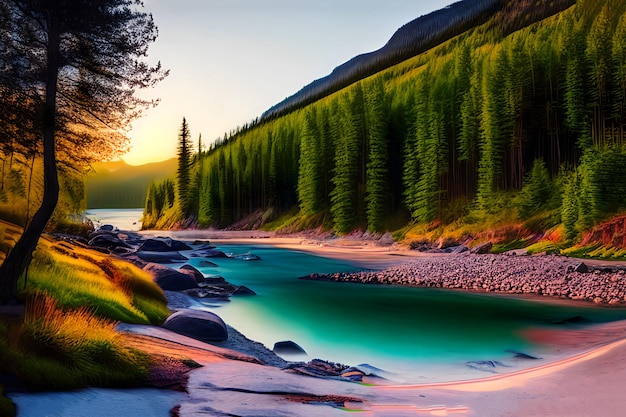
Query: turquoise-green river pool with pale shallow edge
x=399 y=329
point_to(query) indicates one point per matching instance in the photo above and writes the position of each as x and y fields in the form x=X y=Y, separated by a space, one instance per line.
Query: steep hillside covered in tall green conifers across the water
x=508 y=118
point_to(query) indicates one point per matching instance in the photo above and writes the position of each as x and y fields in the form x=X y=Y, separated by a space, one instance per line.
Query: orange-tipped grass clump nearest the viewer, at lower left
x=68 y=349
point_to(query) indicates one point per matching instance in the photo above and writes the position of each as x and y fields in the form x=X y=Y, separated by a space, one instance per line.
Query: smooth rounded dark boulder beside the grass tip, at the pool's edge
x=199 y=325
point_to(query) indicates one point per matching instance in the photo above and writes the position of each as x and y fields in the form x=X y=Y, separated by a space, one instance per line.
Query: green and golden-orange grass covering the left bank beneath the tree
x=75 y=296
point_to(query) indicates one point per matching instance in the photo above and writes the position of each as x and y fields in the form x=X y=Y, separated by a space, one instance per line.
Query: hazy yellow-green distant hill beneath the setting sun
x=120 y=185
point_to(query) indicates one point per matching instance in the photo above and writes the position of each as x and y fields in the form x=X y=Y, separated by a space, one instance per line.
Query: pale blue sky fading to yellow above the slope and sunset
x=230 y=60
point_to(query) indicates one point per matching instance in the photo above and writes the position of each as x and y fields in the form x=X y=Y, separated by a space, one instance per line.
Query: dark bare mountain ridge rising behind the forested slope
x=417 y=37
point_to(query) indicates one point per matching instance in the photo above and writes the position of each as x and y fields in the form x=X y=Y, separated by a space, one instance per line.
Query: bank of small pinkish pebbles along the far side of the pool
x=541 y=275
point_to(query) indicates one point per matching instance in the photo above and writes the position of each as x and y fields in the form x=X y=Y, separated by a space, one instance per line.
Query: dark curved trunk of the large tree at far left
x=19 y=258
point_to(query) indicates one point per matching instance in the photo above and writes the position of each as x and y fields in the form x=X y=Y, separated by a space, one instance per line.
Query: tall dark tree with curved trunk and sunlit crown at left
x=84 y=61
